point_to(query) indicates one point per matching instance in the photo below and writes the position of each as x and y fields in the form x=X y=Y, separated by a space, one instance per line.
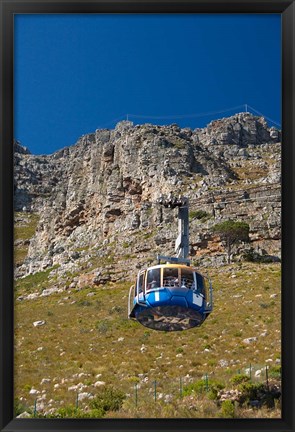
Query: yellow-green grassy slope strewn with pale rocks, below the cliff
x=82 y=335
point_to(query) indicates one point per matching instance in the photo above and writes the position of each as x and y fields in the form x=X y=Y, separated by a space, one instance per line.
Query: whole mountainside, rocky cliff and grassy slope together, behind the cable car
x=87 y=219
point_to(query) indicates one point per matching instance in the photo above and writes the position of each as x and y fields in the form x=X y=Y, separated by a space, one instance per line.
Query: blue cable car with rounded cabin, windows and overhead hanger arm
x=172 y=296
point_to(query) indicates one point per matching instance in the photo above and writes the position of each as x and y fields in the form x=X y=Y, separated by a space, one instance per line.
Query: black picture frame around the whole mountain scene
x=8 y=8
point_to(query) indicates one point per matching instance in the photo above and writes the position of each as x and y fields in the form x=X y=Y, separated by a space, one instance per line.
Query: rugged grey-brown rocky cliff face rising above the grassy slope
x=96 y=200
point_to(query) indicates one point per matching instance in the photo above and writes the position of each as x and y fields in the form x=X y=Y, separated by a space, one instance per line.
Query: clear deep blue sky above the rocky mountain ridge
x=78 y=73
